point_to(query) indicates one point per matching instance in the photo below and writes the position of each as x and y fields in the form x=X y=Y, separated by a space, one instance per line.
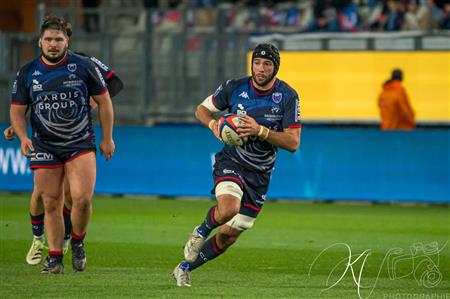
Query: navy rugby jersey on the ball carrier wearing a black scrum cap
x=277 y=109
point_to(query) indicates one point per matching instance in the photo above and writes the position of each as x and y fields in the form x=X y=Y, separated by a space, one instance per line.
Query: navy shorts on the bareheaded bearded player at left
x=50 y=156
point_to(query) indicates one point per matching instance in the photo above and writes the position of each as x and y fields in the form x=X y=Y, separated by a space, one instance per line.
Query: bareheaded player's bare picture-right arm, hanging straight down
x=106 y=118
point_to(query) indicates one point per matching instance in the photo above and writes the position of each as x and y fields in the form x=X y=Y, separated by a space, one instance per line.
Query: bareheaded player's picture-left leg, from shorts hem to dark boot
x=48 y=182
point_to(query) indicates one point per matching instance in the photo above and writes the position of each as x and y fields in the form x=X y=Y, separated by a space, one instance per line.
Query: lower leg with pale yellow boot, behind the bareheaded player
x=34 y=255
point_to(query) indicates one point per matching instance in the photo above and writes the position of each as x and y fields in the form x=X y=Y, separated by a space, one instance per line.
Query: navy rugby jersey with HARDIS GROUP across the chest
x=59 y=98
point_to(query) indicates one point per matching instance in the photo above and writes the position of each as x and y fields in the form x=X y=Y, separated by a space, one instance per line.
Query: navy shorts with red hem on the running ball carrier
x=253 y=184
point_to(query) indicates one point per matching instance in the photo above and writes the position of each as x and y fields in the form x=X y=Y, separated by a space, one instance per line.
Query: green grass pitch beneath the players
x=133 y=244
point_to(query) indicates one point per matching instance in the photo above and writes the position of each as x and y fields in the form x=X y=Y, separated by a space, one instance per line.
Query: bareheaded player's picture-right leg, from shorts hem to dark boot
x=81 y=174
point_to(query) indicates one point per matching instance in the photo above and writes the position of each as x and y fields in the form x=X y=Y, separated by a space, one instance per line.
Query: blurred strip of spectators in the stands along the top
x=290 y=16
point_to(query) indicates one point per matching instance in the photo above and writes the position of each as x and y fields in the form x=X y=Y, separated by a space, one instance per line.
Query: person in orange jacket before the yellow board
x=395 y=109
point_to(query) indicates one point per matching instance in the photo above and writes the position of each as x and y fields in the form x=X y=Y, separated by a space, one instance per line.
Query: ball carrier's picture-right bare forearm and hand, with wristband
x=289 y=139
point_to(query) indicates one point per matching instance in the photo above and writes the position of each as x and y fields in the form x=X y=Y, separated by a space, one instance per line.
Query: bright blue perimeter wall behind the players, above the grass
x=332 y=164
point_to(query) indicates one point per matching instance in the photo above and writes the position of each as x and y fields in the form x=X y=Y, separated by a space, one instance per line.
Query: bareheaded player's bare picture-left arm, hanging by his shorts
x=19 y=125
